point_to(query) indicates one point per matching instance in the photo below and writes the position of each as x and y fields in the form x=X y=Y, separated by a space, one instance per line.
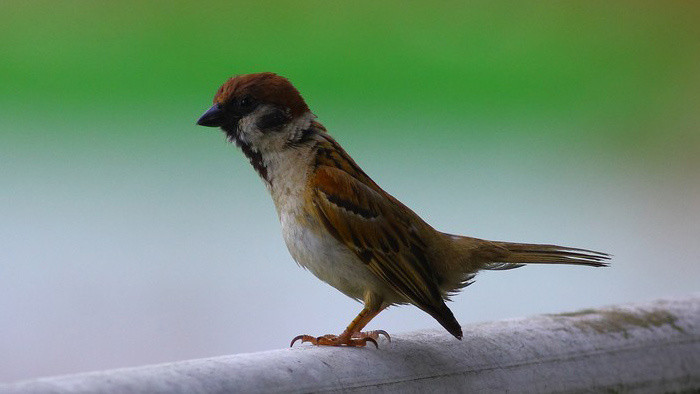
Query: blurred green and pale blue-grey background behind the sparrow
x=130 y=236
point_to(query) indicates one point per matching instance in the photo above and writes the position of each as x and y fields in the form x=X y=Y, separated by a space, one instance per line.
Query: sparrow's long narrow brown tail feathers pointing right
x=517 y=254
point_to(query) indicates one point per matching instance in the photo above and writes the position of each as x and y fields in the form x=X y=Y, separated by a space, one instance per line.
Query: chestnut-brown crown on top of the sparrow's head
x=266 y=87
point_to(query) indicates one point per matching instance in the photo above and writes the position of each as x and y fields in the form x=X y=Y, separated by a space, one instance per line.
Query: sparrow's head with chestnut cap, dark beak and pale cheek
x=259 y=111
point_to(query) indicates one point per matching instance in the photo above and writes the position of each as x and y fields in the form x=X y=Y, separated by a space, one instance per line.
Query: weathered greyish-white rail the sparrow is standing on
x=649 y=347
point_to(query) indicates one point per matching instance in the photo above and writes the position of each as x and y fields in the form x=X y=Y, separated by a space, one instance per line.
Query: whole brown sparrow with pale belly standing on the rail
x=345 y=229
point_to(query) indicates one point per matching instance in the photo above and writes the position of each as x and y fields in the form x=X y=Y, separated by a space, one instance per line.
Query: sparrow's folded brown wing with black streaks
x=377 y=228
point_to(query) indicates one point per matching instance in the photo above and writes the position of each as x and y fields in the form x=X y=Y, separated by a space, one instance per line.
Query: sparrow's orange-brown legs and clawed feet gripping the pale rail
x=352 y=335
